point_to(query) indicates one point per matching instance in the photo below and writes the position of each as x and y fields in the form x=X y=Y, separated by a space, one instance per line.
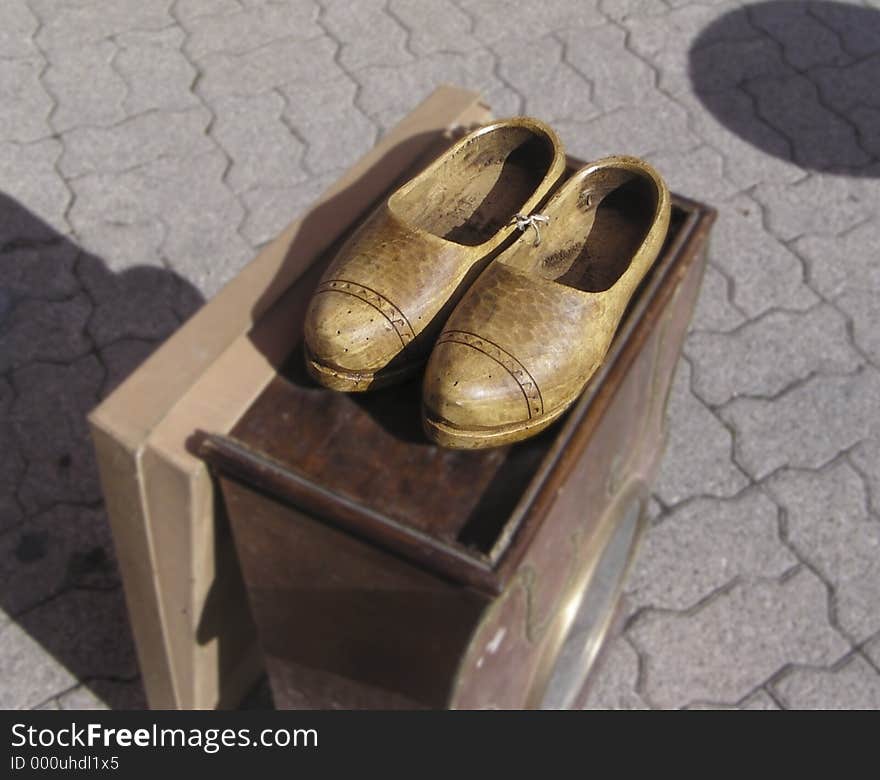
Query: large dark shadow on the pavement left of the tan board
x=71 y=329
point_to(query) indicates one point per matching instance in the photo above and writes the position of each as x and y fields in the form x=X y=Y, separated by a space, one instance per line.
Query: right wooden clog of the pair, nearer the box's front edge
x=520 y=347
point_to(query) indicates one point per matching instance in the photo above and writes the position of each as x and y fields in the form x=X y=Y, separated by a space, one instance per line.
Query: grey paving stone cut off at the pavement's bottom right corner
x=855 y=686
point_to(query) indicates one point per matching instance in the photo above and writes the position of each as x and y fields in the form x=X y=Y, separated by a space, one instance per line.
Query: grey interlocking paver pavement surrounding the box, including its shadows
x=148 y=149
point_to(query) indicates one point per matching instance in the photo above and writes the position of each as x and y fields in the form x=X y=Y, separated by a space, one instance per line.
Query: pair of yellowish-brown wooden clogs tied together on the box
x=512 y=297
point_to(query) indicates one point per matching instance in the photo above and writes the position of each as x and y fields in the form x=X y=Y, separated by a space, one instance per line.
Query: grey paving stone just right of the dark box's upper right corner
x=765 y=273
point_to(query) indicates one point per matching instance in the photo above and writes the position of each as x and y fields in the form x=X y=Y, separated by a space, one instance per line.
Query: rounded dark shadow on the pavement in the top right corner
x=804 y=87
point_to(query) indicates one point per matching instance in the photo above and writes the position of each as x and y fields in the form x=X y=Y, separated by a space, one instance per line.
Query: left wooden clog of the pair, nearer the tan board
x=382 y=301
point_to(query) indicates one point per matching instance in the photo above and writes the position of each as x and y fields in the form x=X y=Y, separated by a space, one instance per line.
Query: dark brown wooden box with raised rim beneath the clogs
x=385 y=572
